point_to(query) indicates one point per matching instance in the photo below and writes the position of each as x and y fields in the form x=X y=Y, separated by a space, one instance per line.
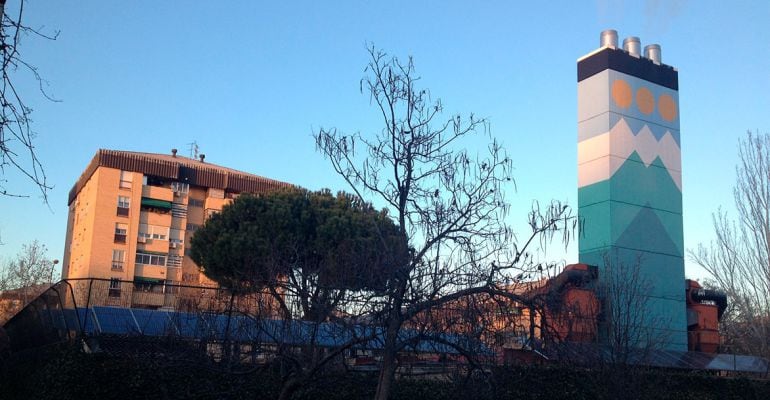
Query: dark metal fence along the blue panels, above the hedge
x=215 y=325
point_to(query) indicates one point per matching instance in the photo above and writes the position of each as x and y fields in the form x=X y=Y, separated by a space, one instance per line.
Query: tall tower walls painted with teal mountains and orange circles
x=630 y=184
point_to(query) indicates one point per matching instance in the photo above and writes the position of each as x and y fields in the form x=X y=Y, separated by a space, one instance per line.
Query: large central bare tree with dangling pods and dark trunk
x=449 y=203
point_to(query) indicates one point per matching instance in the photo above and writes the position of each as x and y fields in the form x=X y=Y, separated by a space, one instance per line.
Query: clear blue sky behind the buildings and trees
x=249 y=81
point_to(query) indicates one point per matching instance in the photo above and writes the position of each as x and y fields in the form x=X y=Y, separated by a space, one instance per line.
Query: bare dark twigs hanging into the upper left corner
x=17 y=148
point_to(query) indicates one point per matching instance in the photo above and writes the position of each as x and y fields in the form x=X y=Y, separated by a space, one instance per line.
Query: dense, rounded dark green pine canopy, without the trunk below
x=299 y=239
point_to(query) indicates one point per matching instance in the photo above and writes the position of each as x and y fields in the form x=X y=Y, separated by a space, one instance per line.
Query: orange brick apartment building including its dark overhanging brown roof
x=131 y=217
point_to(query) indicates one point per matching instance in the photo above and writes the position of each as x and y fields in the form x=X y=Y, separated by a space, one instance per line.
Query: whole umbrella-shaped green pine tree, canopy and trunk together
x=320 y=257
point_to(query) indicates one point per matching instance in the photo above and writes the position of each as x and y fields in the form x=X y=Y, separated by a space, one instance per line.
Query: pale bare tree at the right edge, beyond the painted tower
x=739 y=257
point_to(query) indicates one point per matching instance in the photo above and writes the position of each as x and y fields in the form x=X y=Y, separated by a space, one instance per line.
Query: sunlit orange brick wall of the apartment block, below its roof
x=93 y=215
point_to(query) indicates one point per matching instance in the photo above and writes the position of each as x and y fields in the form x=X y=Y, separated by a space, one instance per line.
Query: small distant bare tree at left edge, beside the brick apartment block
x=24 y=278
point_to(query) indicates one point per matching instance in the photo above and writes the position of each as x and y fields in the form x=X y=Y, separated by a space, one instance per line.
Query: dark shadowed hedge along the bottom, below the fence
x=63 y=373
